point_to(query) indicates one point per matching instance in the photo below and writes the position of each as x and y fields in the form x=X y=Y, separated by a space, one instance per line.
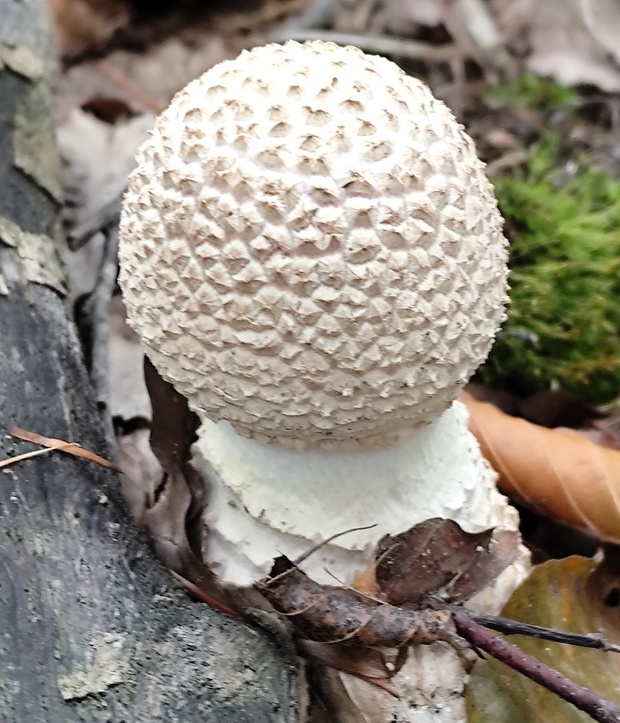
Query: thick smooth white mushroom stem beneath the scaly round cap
x=266 y=500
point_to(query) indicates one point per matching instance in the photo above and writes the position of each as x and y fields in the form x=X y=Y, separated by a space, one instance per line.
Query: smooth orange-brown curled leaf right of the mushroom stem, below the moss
x=558 y=472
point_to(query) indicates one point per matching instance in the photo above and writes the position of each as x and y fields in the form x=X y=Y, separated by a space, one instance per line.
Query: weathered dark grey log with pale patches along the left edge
x=92 y=627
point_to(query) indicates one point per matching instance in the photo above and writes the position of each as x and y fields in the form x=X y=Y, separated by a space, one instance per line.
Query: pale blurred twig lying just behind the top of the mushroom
x=382 y=44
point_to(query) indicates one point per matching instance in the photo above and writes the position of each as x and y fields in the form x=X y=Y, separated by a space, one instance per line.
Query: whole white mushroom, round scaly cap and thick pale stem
x=312 y=254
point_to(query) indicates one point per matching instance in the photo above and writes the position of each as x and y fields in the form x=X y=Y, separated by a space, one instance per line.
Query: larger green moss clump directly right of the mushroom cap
x=564 y=317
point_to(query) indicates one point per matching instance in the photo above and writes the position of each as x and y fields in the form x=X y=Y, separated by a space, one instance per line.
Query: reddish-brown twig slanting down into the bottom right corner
x=597 y=707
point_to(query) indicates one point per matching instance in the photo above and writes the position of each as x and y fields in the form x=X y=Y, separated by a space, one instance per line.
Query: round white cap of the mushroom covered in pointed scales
x=310 y=248
